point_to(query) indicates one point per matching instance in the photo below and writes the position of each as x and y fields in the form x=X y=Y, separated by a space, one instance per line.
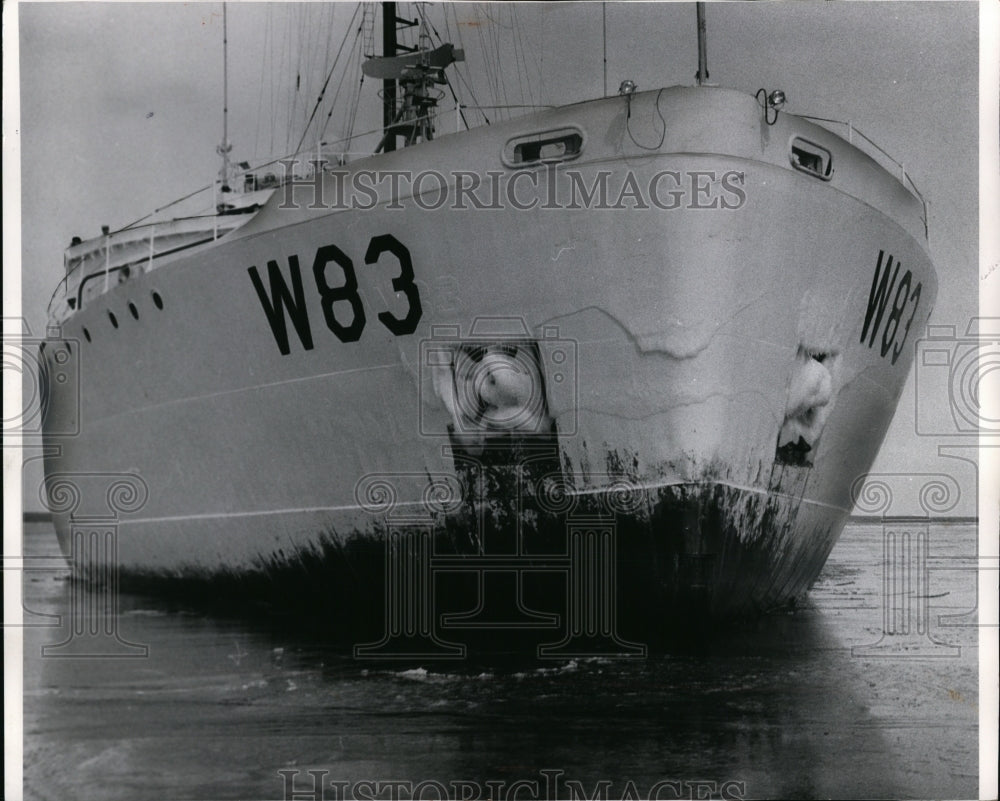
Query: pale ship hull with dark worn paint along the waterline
x=669 y=342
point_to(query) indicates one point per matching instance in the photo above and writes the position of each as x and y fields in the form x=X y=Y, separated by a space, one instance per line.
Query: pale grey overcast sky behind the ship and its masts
x=121 y=105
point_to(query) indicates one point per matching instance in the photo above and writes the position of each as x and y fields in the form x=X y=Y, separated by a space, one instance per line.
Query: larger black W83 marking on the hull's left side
x=286 y=298
